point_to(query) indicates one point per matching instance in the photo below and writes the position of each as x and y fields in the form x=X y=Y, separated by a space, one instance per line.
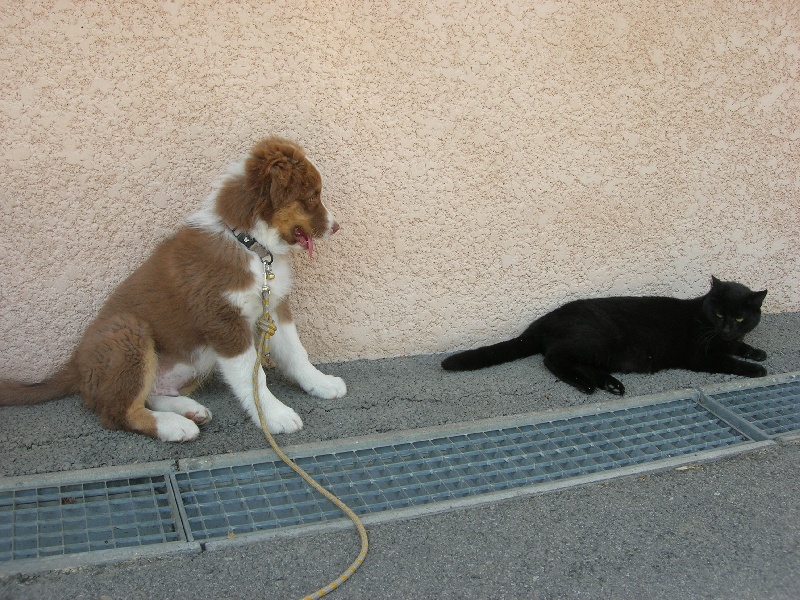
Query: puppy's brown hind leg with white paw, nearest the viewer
x=117 y=362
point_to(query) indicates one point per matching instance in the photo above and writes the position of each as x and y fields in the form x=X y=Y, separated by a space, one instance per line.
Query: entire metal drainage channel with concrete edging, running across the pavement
x=61 y=520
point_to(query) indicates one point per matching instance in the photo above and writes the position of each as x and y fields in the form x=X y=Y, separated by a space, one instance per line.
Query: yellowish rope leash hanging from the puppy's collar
x=267 y=328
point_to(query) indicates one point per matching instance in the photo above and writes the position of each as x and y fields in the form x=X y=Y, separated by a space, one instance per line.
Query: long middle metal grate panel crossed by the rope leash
x=247 y=498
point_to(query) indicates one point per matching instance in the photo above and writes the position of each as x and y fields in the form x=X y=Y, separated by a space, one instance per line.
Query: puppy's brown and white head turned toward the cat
x=277 y=197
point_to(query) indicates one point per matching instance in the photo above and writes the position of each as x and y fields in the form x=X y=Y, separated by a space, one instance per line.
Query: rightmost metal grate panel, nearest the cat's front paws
x=774 y=409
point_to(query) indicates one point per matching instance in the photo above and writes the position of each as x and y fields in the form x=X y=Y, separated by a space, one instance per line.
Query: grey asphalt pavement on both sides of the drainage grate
x=728 y=529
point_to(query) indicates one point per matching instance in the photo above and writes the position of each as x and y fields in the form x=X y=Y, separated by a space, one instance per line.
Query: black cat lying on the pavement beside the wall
x=585 y=340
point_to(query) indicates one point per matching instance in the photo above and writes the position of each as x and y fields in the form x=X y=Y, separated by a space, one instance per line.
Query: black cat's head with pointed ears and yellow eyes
x=732 y=308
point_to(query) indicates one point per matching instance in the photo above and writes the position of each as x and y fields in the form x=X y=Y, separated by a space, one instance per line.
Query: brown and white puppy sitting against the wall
x=193 y=304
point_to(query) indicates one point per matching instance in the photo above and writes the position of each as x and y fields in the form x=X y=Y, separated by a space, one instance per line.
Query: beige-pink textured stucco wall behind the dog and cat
x=487 y=160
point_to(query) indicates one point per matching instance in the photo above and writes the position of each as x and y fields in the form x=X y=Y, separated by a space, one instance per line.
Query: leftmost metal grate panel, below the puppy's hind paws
x=37 y=522
